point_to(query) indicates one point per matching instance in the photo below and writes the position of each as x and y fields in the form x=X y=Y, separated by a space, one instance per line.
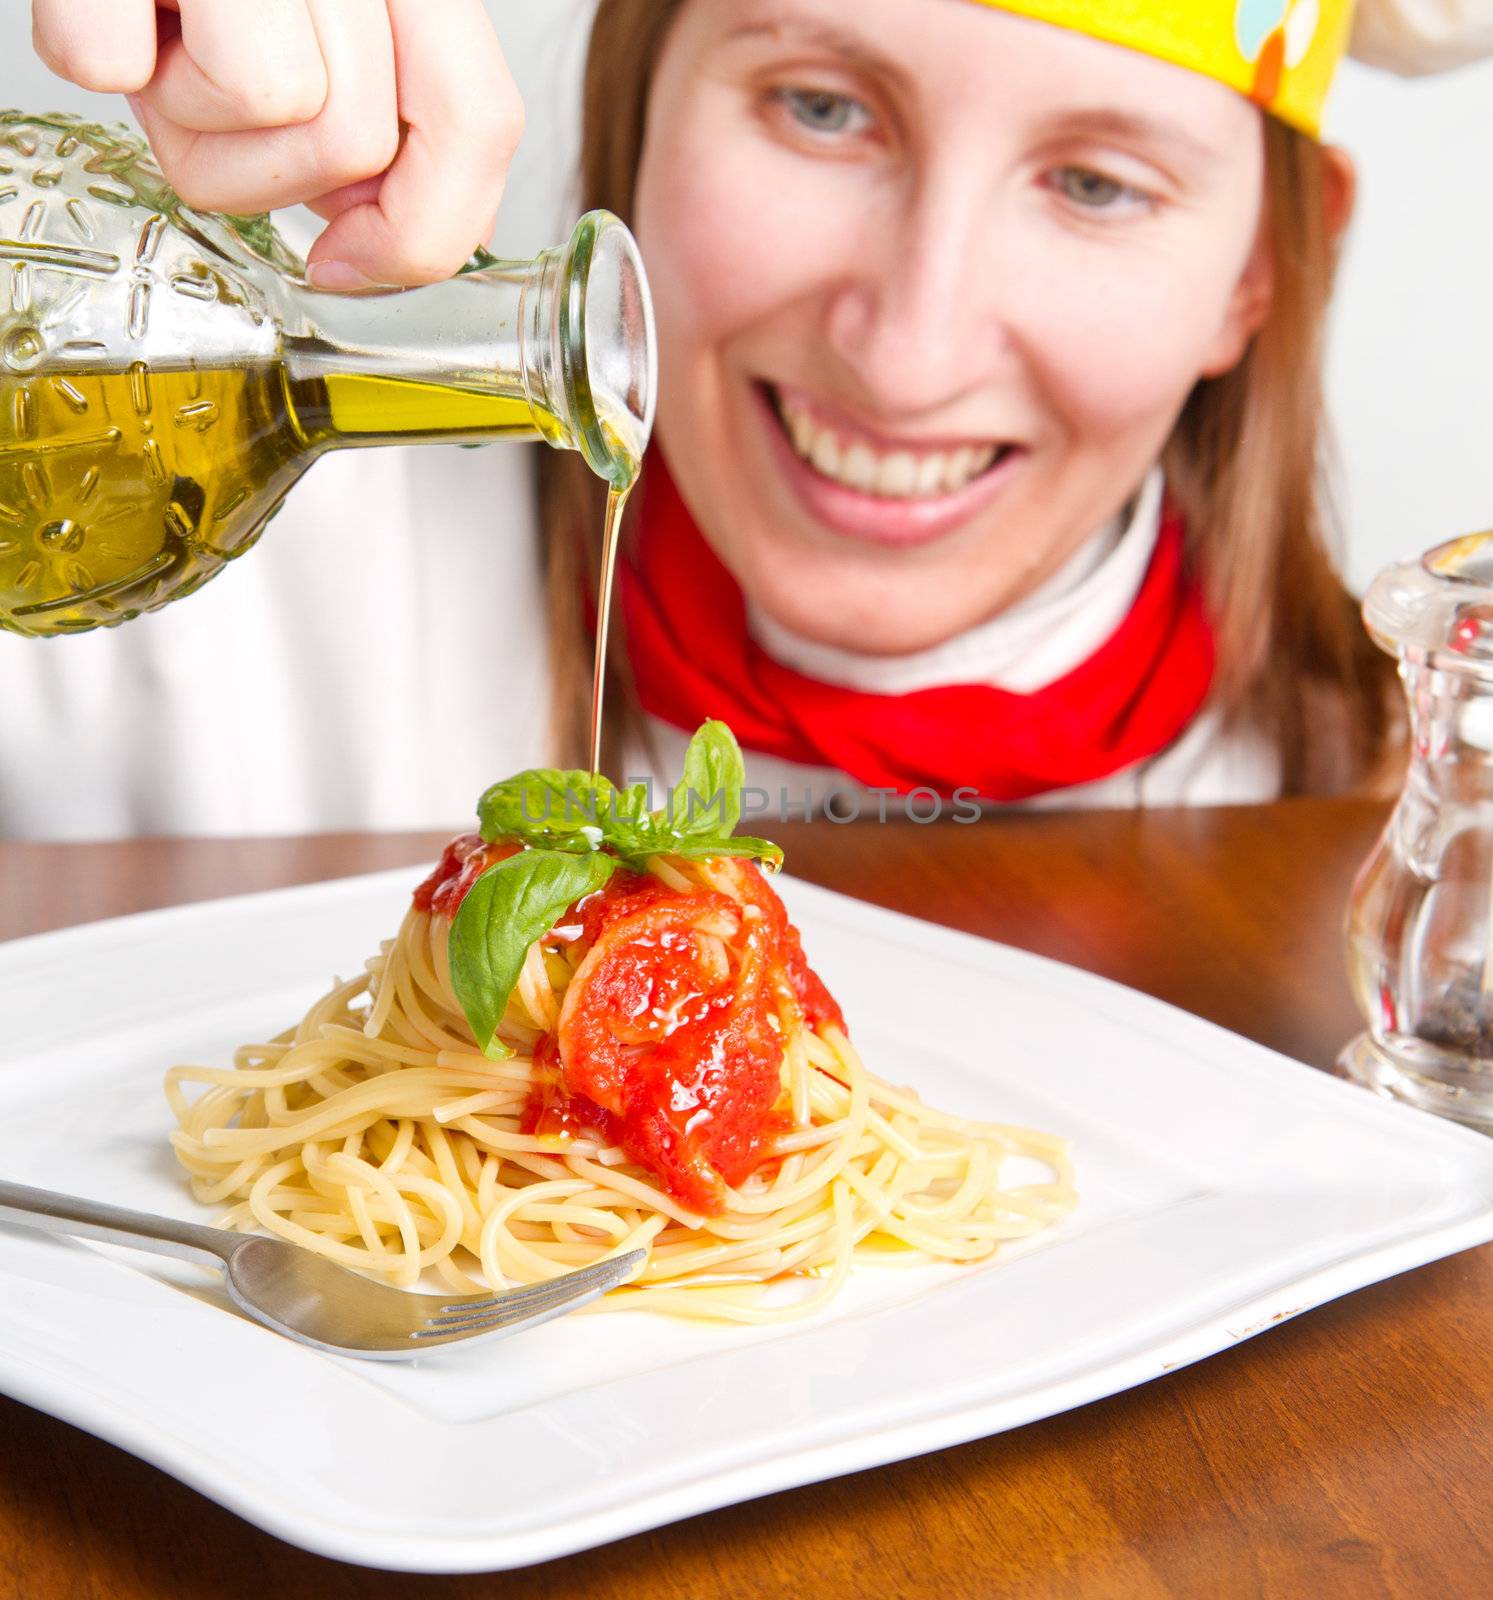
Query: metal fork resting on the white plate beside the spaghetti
x=313 y=1300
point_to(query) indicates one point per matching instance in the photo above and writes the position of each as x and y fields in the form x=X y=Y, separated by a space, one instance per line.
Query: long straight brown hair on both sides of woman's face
x=1244 y=466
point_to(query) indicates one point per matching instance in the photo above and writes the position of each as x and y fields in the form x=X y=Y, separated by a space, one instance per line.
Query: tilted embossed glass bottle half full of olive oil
x=167 y=375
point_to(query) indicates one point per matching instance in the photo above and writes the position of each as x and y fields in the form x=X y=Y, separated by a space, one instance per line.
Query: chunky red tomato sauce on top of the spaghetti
x=670 y=1041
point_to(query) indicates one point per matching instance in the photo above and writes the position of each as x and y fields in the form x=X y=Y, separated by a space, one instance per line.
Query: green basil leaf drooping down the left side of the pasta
x=506 y=910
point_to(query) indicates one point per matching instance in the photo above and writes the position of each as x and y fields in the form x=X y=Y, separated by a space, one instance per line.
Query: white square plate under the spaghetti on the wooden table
x=1223 y=1188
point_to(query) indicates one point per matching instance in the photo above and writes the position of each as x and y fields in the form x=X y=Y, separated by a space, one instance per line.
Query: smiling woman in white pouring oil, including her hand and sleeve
x=990 y=423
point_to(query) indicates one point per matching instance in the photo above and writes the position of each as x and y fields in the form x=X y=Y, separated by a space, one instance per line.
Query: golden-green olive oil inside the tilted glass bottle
x=122 y=490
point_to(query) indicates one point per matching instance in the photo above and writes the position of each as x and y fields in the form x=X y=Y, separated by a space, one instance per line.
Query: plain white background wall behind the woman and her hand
x=1412 y=342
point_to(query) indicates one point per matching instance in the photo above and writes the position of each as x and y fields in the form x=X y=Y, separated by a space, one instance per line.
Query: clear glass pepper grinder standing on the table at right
x=1420 y=924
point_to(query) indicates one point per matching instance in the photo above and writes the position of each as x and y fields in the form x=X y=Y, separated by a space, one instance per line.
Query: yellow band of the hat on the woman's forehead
x=1279 y=54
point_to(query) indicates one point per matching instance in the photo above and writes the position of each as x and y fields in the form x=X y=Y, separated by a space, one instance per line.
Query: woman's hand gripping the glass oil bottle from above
x=393 y=119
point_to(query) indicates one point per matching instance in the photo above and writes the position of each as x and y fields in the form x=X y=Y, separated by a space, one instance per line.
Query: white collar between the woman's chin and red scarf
x=1028 y=646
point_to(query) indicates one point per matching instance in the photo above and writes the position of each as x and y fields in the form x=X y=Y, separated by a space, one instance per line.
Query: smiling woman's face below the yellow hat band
x=932 y=284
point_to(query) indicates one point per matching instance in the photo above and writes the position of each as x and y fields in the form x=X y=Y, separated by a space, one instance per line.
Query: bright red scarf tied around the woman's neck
x=694 y=658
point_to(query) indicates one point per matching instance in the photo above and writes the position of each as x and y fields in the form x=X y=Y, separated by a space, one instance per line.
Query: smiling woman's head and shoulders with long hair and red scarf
x=990 y=402
